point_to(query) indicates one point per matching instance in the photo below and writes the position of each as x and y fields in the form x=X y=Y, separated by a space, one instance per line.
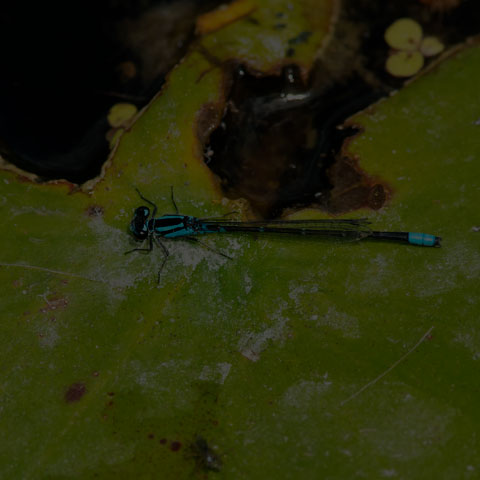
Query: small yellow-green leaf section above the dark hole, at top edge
x=282 y=33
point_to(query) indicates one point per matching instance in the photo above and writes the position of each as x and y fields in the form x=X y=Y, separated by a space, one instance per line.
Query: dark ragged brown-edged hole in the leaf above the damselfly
x=278 y=143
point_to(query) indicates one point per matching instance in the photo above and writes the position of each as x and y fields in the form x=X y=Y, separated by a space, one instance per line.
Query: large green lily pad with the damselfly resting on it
x=296 y=359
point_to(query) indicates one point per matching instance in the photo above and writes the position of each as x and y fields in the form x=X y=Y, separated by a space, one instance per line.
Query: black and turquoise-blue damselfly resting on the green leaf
x=147 y=226
